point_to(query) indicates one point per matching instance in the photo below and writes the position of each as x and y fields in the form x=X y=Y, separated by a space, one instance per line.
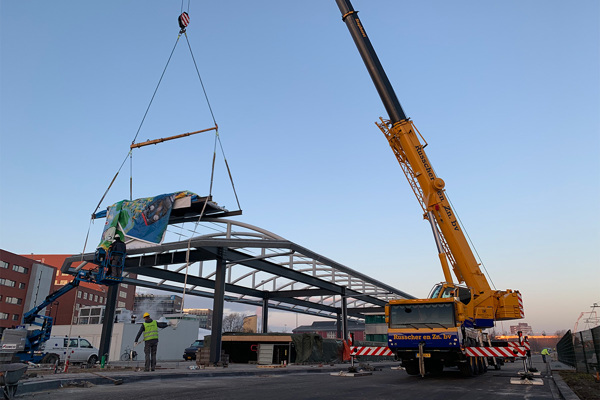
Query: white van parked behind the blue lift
x=81 y=350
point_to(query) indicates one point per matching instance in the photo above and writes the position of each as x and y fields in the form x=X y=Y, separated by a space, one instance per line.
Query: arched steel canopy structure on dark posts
x=241 y=263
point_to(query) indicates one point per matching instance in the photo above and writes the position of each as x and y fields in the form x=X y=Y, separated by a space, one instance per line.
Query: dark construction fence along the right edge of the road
x=580 y=350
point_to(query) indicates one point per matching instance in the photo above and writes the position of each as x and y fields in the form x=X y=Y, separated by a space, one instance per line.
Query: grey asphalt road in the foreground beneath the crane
x=384 y=384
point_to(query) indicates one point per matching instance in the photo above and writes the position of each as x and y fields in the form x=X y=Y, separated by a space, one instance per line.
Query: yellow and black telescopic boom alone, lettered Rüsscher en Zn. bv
x=404 y=141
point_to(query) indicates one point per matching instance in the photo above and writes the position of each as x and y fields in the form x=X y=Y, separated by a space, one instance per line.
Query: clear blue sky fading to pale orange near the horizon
x=507 y=95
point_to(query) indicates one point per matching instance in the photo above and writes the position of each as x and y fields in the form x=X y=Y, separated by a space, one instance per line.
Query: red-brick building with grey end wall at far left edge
x=23 y=284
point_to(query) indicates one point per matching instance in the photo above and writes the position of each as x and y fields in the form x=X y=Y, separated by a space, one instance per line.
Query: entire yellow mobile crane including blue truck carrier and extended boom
x=429 y=334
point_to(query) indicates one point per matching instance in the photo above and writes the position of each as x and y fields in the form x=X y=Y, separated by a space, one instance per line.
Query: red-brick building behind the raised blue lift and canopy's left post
x=86 y=294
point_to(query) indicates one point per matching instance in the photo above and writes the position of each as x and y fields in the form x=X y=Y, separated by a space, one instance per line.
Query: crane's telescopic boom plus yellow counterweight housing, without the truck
x=453 y=248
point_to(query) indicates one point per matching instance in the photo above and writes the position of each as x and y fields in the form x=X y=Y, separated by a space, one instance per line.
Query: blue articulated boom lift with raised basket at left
x=27 y=341
